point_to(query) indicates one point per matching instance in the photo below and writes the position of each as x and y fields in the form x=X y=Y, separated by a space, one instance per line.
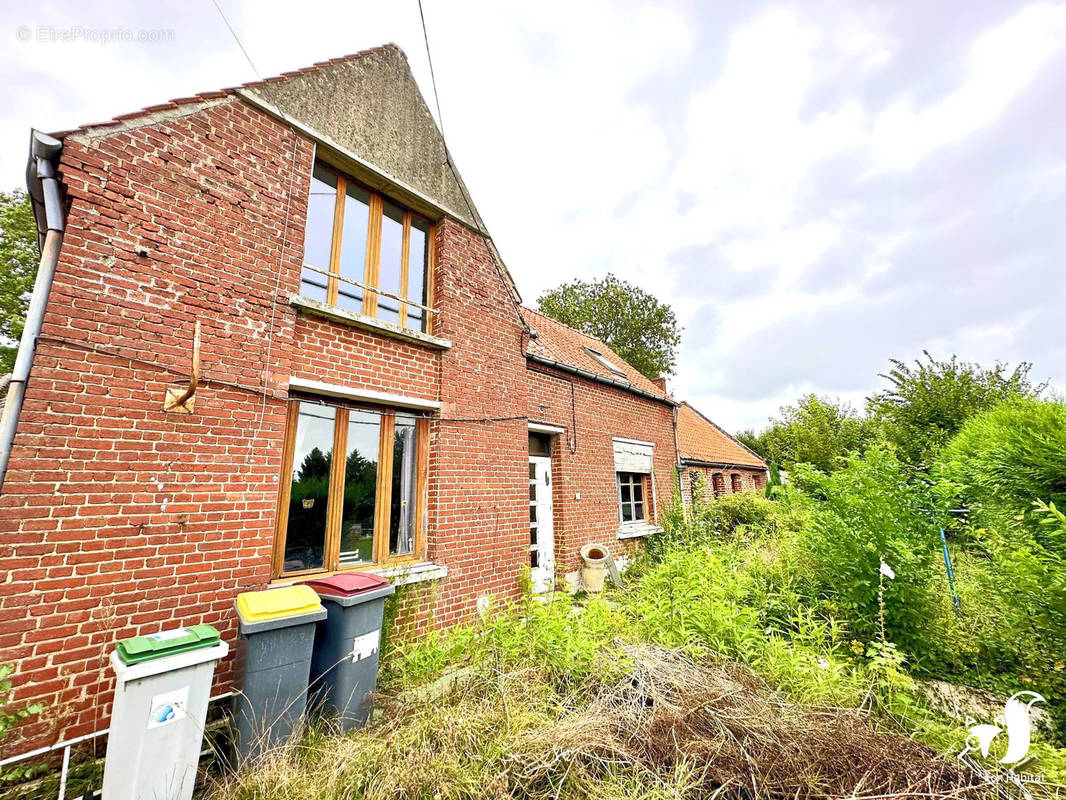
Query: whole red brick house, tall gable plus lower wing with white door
x=312 y=229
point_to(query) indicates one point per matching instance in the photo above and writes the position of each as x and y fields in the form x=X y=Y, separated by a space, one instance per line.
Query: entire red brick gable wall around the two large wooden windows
x=119 y=520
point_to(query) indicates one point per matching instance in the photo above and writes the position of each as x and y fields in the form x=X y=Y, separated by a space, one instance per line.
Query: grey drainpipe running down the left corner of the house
x=44 y=188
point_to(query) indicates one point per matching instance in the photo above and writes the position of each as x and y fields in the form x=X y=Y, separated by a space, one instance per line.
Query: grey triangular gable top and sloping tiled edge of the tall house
x=367 y=104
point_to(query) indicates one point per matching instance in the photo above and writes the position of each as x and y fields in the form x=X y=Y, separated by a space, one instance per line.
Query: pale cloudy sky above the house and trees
x=816 y=187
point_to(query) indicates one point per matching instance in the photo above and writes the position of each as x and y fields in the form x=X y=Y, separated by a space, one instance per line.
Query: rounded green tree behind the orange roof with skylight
x=638 y=327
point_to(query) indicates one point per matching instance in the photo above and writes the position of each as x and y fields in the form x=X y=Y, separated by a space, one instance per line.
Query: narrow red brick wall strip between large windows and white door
x=478 y=456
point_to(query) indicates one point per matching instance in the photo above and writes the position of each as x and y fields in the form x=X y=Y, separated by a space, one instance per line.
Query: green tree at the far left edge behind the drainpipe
x=19 y=268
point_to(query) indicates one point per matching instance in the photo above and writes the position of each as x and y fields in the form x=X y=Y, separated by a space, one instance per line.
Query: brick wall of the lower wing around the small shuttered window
x=603 y=413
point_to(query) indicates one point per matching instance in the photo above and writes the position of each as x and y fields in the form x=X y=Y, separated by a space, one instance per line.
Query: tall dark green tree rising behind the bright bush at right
x=928 y=403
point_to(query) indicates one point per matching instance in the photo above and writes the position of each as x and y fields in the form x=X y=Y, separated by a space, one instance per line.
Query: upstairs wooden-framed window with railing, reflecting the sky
x=366 y=254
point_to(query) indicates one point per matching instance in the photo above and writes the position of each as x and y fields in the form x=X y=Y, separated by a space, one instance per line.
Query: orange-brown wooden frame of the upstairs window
x=373 y=261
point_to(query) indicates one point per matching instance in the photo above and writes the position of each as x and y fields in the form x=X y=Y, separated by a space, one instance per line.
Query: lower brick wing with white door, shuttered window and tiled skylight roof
x=611 y=435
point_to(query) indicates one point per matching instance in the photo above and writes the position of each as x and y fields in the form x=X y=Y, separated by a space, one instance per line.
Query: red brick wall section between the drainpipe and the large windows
x=118 y=519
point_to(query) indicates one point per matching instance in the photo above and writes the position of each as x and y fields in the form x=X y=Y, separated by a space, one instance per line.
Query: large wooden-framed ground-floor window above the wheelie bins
x=365 y=508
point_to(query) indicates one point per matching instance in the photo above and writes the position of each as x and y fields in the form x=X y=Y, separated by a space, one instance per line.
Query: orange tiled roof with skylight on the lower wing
x=572 y=350
